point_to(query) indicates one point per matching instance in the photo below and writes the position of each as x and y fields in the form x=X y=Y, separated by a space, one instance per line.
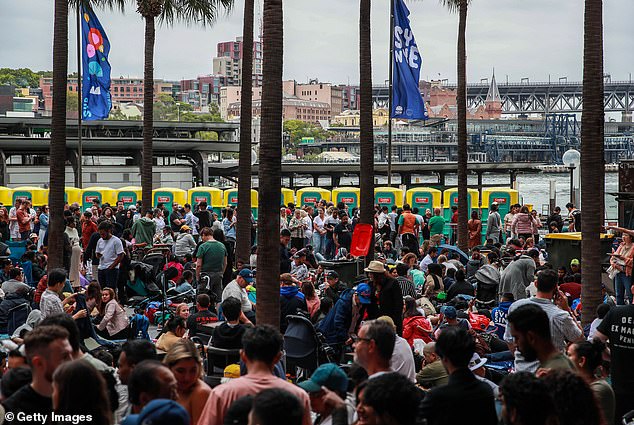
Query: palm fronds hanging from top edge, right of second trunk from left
x=202 y=12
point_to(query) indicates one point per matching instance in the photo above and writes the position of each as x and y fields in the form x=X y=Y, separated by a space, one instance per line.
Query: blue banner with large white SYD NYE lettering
x=407 y=102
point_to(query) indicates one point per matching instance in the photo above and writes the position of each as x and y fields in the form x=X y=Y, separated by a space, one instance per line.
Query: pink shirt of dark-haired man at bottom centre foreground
x=224 y=395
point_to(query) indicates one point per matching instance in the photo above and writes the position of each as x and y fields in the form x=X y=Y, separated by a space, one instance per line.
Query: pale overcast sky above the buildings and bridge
x=520 y=38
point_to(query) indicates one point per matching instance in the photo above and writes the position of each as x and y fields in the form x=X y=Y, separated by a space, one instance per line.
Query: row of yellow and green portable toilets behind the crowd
x=421 y=197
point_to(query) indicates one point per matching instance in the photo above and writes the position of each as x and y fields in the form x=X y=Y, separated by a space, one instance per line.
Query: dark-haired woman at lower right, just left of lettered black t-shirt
x=587 y=357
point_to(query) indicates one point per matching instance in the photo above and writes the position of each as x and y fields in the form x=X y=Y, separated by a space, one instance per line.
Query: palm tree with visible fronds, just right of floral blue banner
x=203 y=12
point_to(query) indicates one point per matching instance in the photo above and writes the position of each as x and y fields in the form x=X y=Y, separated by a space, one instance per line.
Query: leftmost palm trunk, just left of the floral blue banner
x=58 y=136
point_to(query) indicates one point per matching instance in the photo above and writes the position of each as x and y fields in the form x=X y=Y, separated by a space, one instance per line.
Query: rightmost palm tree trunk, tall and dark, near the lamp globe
x=592 y=159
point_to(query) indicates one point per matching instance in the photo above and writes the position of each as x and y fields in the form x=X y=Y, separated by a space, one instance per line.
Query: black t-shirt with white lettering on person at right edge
x=618 y=326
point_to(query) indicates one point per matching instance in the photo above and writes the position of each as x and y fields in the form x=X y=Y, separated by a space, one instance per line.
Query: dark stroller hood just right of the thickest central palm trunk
x=305 y=347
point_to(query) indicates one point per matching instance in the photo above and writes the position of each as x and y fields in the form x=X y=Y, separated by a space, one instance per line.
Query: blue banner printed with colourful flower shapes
x=96 y=103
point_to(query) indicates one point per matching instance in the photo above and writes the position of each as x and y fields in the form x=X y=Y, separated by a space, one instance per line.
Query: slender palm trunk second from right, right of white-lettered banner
x=461 y=98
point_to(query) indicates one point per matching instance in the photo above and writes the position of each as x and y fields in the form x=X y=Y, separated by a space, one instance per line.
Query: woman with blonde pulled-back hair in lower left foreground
x=184 y=361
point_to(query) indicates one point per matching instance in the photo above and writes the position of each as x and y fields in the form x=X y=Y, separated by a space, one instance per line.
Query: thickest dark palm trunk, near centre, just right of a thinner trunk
x=268 y=266
